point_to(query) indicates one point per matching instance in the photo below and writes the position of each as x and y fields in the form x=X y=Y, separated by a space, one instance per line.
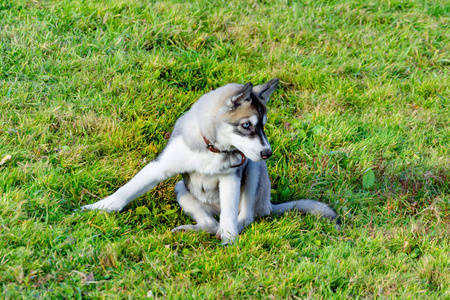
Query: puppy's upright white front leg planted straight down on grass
x=229 y=191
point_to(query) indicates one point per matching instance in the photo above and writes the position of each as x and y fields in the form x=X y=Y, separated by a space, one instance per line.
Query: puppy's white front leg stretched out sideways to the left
x=169 y=163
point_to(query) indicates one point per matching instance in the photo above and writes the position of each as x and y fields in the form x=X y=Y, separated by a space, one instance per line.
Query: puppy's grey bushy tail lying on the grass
x=307 y=206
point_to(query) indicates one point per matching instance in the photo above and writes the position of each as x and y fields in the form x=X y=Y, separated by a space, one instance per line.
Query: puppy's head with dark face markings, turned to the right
x=241 y=123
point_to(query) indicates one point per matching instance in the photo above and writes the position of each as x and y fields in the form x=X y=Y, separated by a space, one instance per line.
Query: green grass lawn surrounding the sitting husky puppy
x=89 y=89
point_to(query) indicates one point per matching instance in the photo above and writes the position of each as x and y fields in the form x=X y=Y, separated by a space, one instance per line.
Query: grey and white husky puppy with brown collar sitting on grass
x=219 y=146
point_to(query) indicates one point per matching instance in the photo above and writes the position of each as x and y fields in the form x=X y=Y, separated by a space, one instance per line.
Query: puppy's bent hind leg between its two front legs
x=201 y=213
